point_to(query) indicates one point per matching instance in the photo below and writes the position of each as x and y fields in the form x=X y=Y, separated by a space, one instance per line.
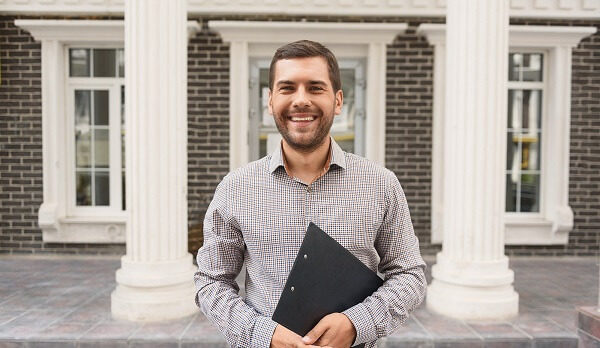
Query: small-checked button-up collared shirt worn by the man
x=259 y=215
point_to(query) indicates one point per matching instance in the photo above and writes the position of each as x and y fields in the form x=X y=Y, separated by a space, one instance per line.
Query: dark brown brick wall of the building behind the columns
x=408 y=133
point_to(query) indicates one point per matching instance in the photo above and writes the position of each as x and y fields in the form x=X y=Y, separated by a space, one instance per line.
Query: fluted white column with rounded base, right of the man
x=471 y=279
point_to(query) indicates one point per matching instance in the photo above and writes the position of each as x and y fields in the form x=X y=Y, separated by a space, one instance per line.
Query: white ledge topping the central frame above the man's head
x=284 y=32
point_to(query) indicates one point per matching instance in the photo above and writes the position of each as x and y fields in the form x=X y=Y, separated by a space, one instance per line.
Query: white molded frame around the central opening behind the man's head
x=352 y=40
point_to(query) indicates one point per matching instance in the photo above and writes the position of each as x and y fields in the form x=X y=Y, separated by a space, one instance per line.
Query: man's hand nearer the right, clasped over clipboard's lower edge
x=334 y=330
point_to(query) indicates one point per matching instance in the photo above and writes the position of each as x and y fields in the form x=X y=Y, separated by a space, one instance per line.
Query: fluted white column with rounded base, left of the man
x=155 y=281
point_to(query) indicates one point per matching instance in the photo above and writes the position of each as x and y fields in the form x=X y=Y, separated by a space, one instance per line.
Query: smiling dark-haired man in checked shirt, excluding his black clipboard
x=260 y=212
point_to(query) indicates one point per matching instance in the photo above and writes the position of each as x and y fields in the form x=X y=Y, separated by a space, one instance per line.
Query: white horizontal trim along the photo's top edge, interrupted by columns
x=560 y=9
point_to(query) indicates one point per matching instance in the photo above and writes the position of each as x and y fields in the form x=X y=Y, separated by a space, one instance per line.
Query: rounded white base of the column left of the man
x=154 y=291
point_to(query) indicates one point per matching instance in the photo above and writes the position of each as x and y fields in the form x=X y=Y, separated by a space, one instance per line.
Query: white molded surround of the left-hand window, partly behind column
x=57 y=225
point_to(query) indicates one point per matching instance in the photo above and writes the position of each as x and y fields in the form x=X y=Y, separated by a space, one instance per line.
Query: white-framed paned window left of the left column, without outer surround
x=96 y=104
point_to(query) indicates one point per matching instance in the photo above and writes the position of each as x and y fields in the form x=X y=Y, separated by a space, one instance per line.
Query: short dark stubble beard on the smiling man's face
x=319 y=137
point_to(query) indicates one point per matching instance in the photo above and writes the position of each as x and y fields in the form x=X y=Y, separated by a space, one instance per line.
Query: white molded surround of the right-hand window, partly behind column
x=555 y=221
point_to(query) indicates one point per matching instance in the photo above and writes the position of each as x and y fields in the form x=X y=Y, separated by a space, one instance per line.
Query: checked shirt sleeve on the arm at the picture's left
x=220 y=260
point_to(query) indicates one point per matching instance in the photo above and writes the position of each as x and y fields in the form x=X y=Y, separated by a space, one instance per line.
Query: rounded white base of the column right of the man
x=473 y=290
